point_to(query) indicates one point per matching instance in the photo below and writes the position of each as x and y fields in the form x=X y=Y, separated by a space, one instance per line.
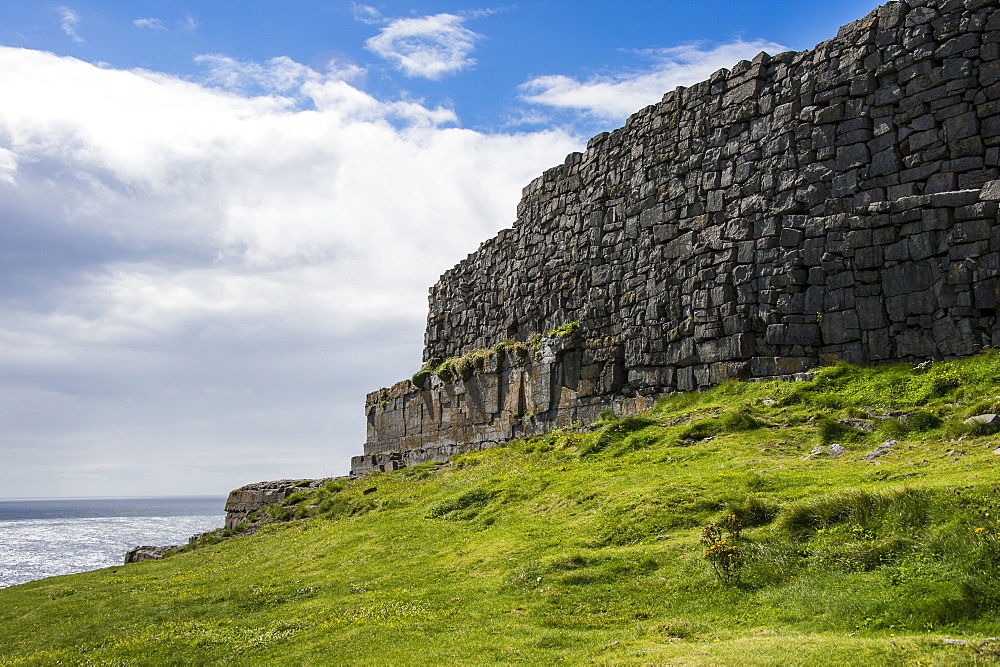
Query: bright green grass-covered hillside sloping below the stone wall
x=851 y=519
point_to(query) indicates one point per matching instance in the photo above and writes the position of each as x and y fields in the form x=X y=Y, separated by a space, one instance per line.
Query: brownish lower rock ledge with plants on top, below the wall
x=508 y=395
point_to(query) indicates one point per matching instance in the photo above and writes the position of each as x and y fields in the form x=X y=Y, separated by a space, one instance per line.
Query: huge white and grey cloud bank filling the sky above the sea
x=221 y=276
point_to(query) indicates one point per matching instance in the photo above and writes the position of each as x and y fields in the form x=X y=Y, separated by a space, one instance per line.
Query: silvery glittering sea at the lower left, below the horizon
x=47 y=537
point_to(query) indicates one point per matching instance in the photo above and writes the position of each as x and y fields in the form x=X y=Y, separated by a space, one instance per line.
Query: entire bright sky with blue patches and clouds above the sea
x=219 y=220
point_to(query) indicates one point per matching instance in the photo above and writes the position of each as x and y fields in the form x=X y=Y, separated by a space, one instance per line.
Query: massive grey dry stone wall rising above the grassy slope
x=833 y=203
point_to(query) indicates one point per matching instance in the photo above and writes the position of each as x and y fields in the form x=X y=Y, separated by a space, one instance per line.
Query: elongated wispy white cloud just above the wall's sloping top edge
x=618 y=95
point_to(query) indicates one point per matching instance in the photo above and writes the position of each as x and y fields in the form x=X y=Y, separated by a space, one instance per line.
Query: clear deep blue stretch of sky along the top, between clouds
x=496 y=49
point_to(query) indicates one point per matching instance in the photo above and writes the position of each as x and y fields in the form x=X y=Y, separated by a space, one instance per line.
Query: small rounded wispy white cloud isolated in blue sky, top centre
x=430 y=46
